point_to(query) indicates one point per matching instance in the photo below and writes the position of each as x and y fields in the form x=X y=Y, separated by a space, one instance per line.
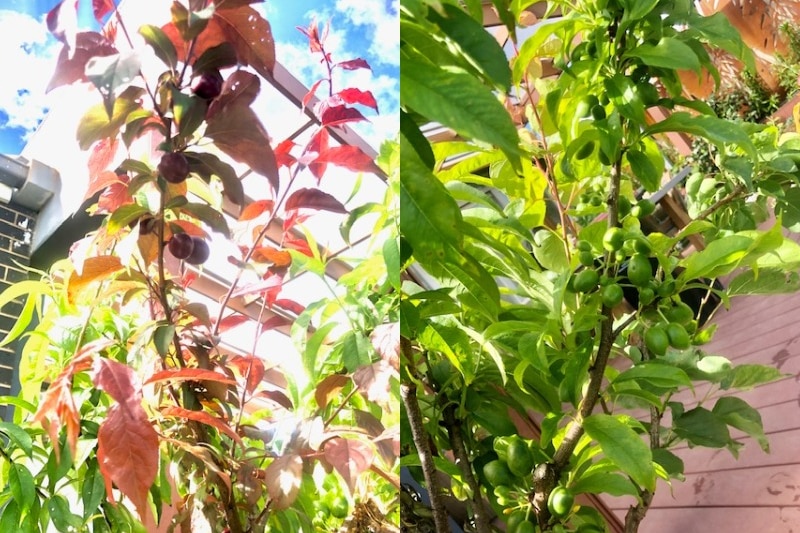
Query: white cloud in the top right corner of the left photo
x=382 y=24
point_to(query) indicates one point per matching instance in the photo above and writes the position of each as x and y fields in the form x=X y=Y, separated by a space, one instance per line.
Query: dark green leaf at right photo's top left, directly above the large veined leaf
x=475 y=42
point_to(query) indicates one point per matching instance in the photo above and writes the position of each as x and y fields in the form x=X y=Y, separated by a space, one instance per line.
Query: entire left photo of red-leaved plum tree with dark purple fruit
x=199 y=266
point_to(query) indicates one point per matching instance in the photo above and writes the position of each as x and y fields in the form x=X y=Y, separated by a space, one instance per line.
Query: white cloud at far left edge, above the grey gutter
x=28 y=59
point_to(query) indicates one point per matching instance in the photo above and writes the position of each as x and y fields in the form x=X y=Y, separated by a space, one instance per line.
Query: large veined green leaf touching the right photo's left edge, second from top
x=458 y=101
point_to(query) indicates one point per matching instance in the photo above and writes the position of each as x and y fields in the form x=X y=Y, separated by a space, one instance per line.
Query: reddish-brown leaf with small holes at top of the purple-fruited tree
x=251 y=36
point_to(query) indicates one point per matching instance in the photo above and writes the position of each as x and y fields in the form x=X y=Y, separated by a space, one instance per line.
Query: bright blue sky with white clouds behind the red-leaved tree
x=367 y=29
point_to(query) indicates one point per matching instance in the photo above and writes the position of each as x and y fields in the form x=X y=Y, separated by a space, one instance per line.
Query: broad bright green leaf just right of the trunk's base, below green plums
x=624 y=447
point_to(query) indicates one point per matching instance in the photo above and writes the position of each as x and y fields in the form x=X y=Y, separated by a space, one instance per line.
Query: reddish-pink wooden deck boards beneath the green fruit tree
x=759 y=492
